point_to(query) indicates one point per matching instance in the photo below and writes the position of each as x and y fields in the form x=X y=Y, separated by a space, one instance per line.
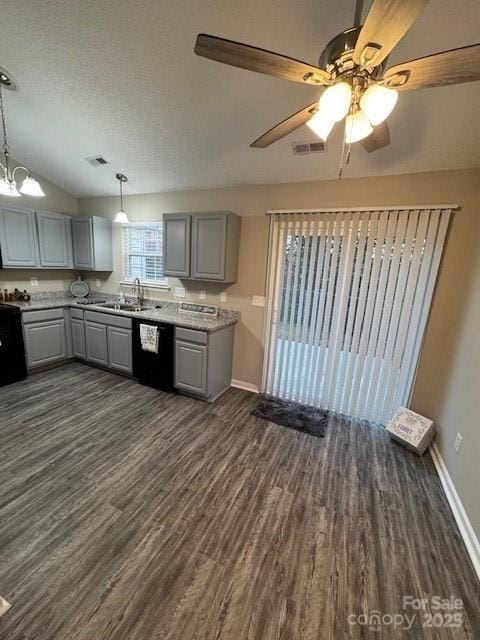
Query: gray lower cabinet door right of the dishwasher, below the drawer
x=191 y=367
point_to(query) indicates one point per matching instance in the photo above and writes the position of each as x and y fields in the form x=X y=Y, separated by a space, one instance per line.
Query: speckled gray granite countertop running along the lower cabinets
x=168 y=312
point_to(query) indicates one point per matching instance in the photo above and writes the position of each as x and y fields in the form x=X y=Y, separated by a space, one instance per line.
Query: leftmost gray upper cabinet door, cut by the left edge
x=18 y=238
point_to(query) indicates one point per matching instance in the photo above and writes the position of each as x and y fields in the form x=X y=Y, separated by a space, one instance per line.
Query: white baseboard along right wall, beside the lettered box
x=466 y=530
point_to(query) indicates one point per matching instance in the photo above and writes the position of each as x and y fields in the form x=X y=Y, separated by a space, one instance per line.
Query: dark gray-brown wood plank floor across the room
x=128 y=514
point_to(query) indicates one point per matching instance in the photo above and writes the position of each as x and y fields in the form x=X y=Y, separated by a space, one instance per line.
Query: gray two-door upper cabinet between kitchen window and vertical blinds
x=202 y=246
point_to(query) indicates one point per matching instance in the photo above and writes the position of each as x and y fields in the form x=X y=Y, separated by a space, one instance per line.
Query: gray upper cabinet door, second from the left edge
x=54 y=240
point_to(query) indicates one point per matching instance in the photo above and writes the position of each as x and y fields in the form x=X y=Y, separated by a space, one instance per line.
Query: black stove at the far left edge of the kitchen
x=12 y=353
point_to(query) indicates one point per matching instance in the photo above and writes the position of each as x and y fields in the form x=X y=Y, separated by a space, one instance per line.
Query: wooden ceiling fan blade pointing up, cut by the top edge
x=386 y=24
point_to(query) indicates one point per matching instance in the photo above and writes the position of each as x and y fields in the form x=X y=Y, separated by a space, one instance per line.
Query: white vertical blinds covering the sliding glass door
x=349 y=296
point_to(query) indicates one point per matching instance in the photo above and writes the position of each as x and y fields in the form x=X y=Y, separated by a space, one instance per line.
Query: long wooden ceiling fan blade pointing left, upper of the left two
x=260 y=60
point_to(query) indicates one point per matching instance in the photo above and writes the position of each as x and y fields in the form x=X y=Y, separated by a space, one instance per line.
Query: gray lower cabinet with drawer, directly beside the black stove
x=45 y=337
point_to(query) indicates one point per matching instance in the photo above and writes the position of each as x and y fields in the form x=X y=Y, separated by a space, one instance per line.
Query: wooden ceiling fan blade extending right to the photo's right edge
x=438 y=70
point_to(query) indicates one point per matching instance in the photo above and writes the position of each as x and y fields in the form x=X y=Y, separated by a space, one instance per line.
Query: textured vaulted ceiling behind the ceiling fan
x=119 y=78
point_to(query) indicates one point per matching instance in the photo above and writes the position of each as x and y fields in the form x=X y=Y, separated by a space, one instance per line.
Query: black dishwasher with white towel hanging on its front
x=154 y=369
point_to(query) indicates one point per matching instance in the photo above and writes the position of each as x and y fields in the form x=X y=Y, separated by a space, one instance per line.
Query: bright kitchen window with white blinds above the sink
x=143 y=253
